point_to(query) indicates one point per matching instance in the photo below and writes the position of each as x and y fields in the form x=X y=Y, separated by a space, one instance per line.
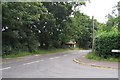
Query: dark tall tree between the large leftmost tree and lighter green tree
x=61 y=12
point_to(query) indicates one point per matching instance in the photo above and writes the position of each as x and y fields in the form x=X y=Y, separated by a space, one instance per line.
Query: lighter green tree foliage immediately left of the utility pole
x=82 y=31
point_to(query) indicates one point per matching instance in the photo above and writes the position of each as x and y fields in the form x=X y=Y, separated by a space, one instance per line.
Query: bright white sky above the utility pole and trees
x=99 y=9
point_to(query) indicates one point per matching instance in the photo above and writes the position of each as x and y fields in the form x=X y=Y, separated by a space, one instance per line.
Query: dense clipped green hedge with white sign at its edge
x=105 y=42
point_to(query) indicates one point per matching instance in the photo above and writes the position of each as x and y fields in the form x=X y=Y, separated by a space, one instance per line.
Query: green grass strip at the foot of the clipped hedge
x=92 y=56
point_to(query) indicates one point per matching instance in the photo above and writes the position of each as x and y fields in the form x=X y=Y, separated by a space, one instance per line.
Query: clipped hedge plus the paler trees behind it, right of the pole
x=107 y=37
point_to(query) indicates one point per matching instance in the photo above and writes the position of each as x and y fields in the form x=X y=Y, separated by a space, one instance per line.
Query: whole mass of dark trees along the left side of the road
x=30 y=26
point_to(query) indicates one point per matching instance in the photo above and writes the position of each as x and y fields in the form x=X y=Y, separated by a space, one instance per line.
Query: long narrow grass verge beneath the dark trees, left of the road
x=42 y=51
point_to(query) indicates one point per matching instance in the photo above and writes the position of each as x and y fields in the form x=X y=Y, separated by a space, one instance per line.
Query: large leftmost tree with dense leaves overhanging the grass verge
x=18 y=28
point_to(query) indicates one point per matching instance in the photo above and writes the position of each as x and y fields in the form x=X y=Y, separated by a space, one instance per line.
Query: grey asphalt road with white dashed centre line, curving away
x=59 y=65
